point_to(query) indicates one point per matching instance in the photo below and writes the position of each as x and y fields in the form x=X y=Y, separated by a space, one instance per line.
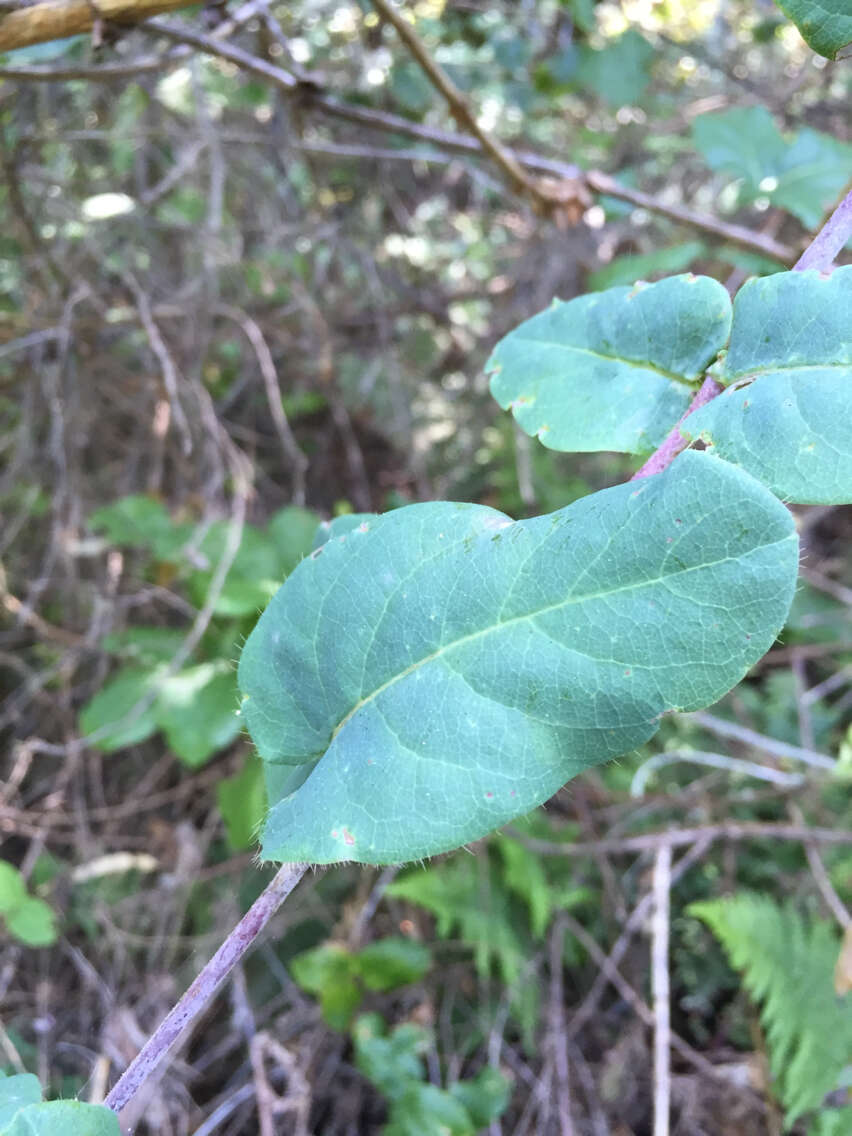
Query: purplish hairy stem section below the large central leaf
x=201 y=993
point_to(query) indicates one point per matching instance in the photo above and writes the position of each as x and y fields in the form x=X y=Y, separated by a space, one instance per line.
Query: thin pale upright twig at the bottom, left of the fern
x=661 y=988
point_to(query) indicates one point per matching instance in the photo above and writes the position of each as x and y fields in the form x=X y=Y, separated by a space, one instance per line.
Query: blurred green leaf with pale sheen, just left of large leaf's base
x=197 y=709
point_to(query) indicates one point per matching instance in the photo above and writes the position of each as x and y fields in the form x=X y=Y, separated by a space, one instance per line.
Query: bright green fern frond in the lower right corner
x=788 y=966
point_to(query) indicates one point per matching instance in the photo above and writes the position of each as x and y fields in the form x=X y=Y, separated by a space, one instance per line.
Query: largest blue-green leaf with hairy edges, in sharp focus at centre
x=448 y=670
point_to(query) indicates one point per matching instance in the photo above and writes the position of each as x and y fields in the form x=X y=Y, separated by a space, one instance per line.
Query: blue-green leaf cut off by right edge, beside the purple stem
x=787 y=420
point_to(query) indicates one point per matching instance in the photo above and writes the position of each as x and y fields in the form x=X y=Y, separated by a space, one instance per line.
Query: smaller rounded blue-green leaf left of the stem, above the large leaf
x=612 y=371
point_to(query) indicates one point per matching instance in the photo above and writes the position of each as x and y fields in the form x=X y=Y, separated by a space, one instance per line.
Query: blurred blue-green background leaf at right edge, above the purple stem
x=804 y=176
